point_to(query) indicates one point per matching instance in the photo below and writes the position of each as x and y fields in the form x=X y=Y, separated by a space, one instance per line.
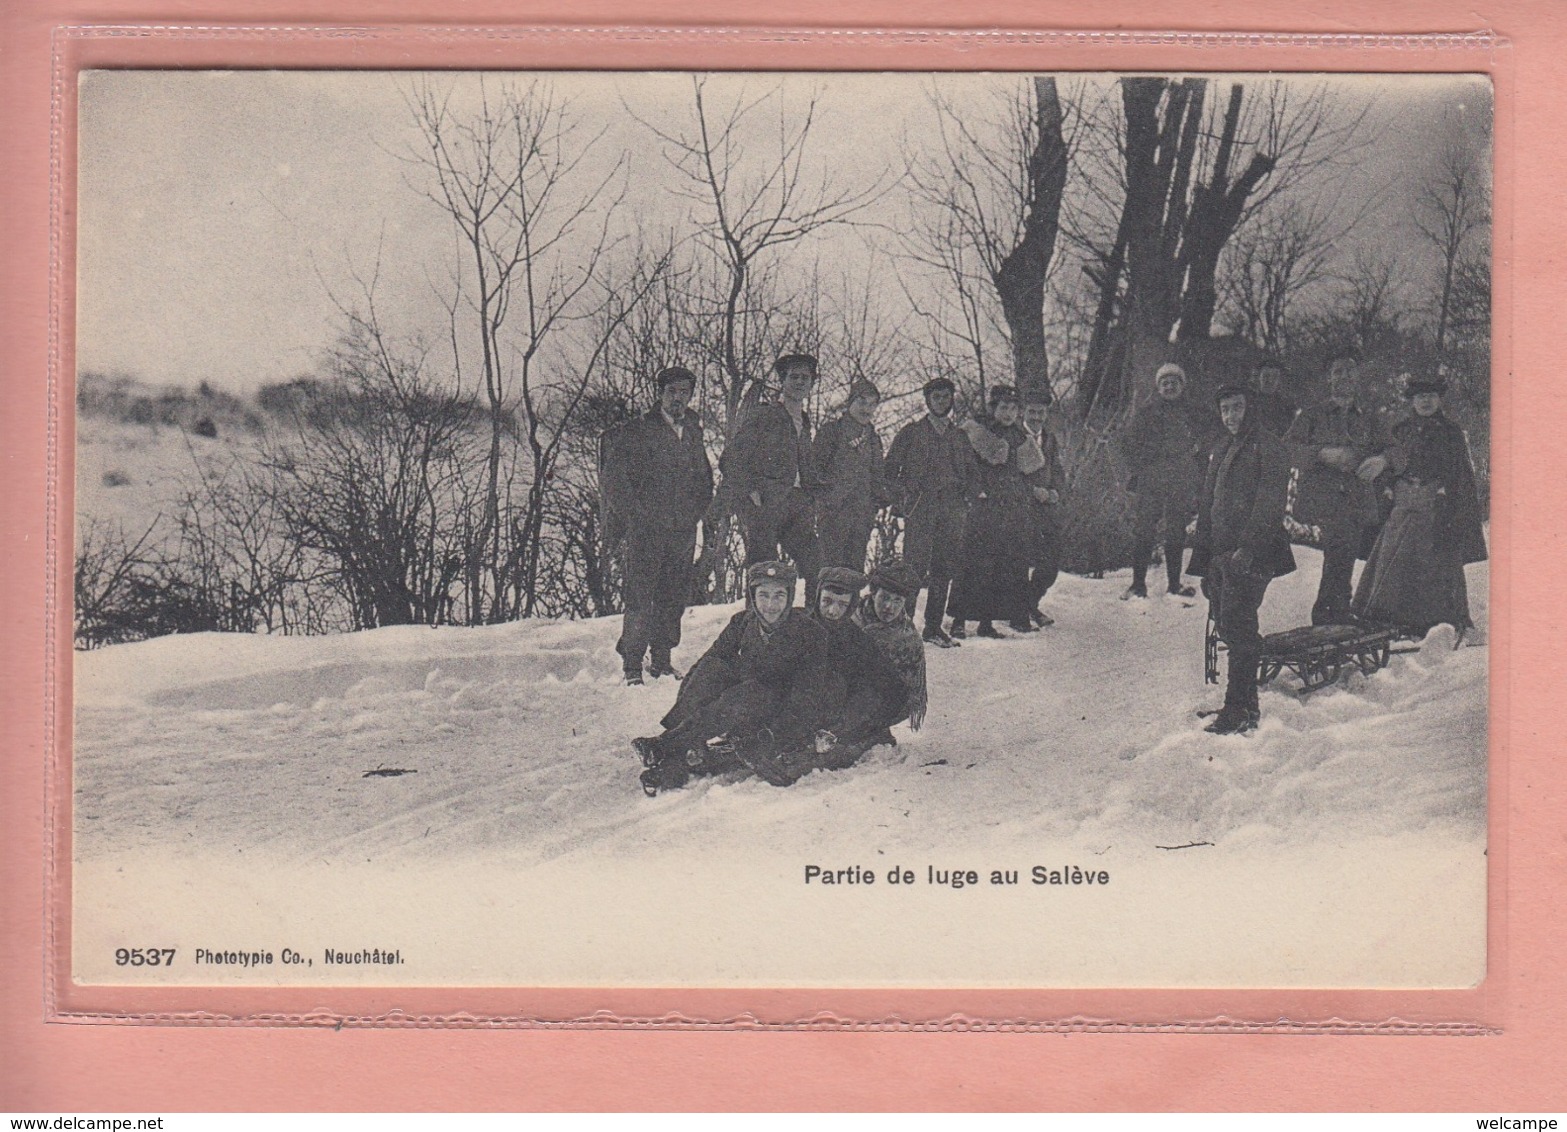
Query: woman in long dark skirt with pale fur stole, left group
x=993 y=584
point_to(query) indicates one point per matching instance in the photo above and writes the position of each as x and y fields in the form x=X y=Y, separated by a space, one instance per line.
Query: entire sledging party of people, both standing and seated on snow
x=789 y=691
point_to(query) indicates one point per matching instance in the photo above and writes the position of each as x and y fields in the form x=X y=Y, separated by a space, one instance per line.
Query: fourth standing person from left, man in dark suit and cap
x=928 y=470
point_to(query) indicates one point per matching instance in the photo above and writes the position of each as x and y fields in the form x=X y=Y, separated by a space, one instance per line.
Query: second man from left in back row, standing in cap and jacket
x=769 y=474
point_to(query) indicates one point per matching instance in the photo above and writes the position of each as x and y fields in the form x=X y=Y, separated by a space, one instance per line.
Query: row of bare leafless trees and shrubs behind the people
x=1049 y=234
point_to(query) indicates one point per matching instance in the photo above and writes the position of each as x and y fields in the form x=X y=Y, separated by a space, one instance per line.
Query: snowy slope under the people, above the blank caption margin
x=519 y=741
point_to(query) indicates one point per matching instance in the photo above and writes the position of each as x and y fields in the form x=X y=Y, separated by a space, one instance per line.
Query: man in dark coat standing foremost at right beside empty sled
x=1242 y=546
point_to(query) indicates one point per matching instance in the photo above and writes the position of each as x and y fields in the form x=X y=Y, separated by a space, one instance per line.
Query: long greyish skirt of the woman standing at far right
x=1414 y=578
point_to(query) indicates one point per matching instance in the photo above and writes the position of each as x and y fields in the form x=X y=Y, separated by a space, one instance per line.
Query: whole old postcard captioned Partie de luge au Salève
x=648 y=529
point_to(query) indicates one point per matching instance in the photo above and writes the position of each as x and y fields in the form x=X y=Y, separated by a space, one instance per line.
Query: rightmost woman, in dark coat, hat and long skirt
x=1414 y=578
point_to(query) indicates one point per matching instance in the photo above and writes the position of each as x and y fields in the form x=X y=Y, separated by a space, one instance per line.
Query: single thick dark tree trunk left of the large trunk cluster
x=1021 y=277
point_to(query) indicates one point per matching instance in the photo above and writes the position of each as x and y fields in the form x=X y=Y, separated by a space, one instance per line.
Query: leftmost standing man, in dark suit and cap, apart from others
x=659 y=482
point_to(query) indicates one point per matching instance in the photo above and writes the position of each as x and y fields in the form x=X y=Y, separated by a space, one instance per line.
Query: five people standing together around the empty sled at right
x=1334 y=474
